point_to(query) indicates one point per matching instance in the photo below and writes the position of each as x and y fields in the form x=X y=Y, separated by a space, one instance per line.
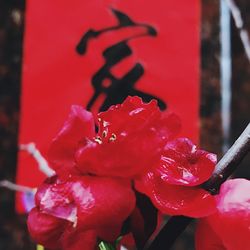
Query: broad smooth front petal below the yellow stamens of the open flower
x=122 y=158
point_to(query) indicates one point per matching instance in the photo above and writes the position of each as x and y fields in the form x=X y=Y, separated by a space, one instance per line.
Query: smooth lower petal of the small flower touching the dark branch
x=176 y=200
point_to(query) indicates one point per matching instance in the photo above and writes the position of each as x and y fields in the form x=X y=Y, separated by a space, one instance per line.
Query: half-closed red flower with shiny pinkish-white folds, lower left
x=78 y=207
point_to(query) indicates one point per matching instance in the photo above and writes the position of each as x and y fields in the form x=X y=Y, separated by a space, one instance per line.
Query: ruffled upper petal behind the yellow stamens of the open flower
x=134 y=117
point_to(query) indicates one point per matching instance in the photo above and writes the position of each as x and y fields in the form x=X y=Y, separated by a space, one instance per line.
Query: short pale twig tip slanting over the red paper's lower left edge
x=35 y=153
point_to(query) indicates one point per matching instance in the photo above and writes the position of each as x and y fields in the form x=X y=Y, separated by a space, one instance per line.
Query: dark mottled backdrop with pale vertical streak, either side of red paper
x=224 y=110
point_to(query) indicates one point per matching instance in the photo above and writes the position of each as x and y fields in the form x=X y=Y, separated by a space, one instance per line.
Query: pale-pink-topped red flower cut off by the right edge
x=232 y=221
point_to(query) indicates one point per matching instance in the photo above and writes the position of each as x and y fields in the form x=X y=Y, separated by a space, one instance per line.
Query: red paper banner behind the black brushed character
x=55 y=76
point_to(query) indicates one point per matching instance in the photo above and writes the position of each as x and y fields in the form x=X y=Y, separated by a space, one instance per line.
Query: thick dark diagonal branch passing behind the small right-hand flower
x=225 y=167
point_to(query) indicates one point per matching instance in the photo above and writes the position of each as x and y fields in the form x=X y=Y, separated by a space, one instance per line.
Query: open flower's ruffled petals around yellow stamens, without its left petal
x=130 y=140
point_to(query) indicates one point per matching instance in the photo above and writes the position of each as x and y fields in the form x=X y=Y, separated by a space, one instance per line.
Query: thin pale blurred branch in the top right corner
x=240 y=25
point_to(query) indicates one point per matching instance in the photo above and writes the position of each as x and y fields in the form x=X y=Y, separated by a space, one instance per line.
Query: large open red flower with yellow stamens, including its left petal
x=128 y=142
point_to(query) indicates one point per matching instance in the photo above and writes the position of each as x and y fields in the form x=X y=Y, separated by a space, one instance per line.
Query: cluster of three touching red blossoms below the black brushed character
x=136 y=149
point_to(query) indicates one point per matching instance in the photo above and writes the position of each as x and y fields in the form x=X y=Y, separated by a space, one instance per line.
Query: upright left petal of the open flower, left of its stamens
x=79 y=124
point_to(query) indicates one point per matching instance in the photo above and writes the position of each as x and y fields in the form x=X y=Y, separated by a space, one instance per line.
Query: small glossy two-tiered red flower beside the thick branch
x=173 y=186
